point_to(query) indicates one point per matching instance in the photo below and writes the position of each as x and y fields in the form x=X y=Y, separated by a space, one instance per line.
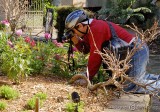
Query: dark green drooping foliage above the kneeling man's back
x=130 y=11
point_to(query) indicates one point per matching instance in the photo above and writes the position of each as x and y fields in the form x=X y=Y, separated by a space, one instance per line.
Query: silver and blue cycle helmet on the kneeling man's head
x=74 y=18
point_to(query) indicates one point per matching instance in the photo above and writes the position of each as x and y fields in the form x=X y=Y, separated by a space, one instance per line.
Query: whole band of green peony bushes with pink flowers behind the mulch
x=20 y=59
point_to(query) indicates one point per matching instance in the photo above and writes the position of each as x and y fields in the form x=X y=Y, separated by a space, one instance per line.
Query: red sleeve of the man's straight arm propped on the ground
x=95 y=59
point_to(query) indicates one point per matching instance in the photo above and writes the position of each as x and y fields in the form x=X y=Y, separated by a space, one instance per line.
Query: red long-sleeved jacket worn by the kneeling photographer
x=101 y=33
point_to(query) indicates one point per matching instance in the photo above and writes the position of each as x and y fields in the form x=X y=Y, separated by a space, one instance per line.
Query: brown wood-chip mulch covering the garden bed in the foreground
x=58 y=92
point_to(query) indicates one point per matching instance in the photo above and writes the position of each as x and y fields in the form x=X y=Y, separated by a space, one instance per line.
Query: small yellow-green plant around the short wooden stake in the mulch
x=31 y=103
